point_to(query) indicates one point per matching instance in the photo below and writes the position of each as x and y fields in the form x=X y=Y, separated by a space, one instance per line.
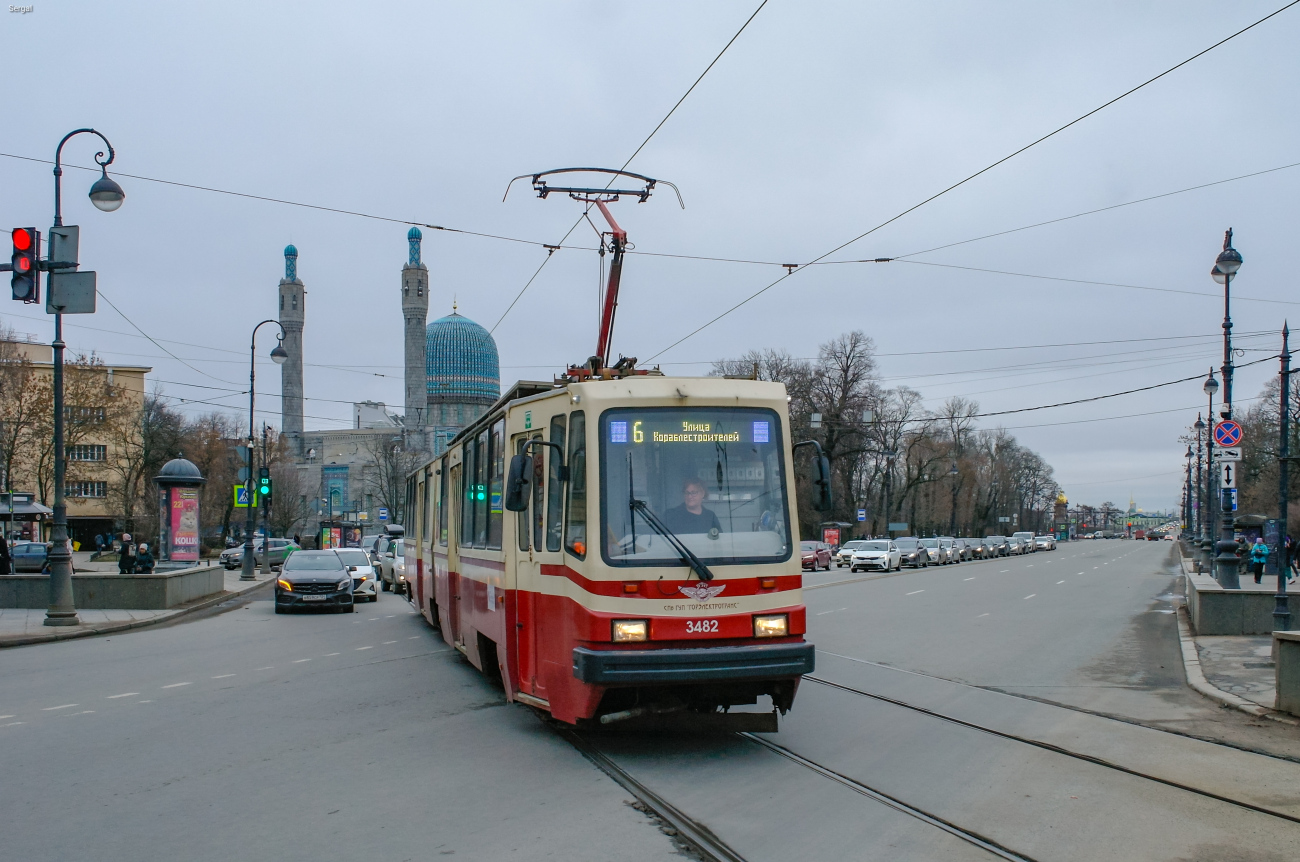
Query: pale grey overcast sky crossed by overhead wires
x=822 y=122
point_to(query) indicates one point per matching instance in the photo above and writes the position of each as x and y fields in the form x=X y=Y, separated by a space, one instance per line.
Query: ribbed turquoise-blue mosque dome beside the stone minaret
x=461 y=362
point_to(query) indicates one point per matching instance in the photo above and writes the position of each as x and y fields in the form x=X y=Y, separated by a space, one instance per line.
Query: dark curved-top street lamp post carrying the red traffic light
x=107 y=197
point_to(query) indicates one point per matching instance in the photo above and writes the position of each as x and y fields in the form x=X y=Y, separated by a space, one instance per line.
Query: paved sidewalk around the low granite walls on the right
x=1237 y=672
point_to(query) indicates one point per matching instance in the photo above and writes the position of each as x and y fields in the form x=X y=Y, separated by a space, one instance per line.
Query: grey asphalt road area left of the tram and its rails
x=254 y=737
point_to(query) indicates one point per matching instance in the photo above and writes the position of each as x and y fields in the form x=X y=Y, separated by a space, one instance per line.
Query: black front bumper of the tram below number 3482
x=704 y=665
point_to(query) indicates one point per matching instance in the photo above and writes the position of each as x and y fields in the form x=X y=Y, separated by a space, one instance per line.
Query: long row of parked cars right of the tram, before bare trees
x=891 y=555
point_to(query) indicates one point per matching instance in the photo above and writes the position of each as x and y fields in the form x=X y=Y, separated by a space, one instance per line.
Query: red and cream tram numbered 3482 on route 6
x=653 y=566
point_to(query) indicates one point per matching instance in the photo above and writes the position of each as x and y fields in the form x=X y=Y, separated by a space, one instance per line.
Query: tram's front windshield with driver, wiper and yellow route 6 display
x=713 y=478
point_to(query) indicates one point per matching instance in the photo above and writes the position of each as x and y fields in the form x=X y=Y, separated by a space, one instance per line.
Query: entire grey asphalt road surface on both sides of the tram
x=1030 y=708
